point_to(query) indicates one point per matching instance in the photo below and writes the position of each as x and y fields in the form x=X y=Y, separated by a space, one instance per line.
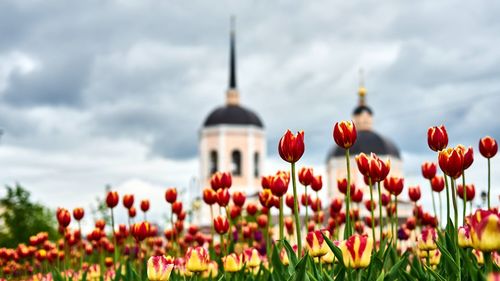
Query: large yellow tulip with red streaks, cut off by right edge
x=484 y=228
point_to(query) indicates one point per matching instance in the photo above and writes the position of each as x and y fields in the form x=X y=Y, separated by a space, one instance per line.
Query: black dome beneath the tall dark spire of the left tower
x=232 y=115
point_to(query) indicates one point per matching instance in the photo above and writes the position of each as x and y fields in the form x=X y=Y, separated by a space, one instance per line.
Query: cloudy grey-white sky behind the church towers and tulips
x=114 y=92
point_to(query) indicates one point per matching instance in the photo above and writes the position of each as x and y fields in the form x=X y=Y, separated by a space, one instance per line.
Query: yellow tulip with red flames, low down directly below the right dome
x=356 y=251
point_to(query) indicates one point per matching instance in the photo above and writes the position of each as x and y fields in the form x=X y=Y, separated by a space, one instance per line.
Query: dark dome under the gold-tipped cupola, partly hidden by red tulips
x=367 y=142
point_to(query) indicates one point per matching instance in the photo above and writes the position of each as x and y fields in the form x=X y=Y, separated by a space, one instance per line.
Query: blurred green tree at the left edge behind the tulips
x=20 y=218
